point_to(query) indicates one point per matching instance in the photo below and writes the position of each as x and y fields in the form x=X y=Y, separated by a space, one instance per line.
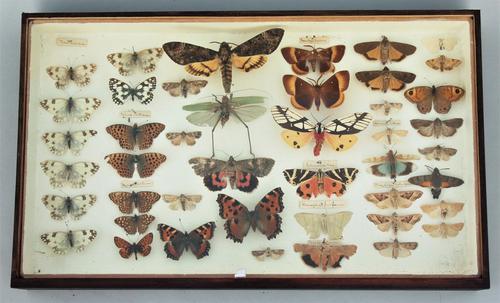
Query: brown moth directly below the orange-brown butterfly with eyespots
x=437 y=127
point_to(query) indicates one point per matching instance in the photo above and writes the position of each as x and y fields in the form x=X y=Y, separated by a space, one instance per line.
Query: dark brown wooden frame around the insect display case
x=479 y=281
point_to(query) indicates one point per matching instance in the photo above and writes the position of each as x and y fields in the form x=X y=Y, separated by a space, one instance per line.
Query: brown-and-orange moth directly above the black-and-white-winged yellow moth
x=329 y=92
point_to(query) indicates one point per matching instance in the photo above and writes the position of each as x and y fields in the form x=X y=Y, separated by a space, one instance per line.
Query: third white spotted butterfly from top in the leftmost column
x=59 y=143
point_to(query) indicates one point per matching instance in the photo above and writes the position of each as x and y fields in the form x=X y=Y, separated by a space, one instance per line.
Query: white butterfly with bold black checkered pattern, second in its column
x=121 y=91
